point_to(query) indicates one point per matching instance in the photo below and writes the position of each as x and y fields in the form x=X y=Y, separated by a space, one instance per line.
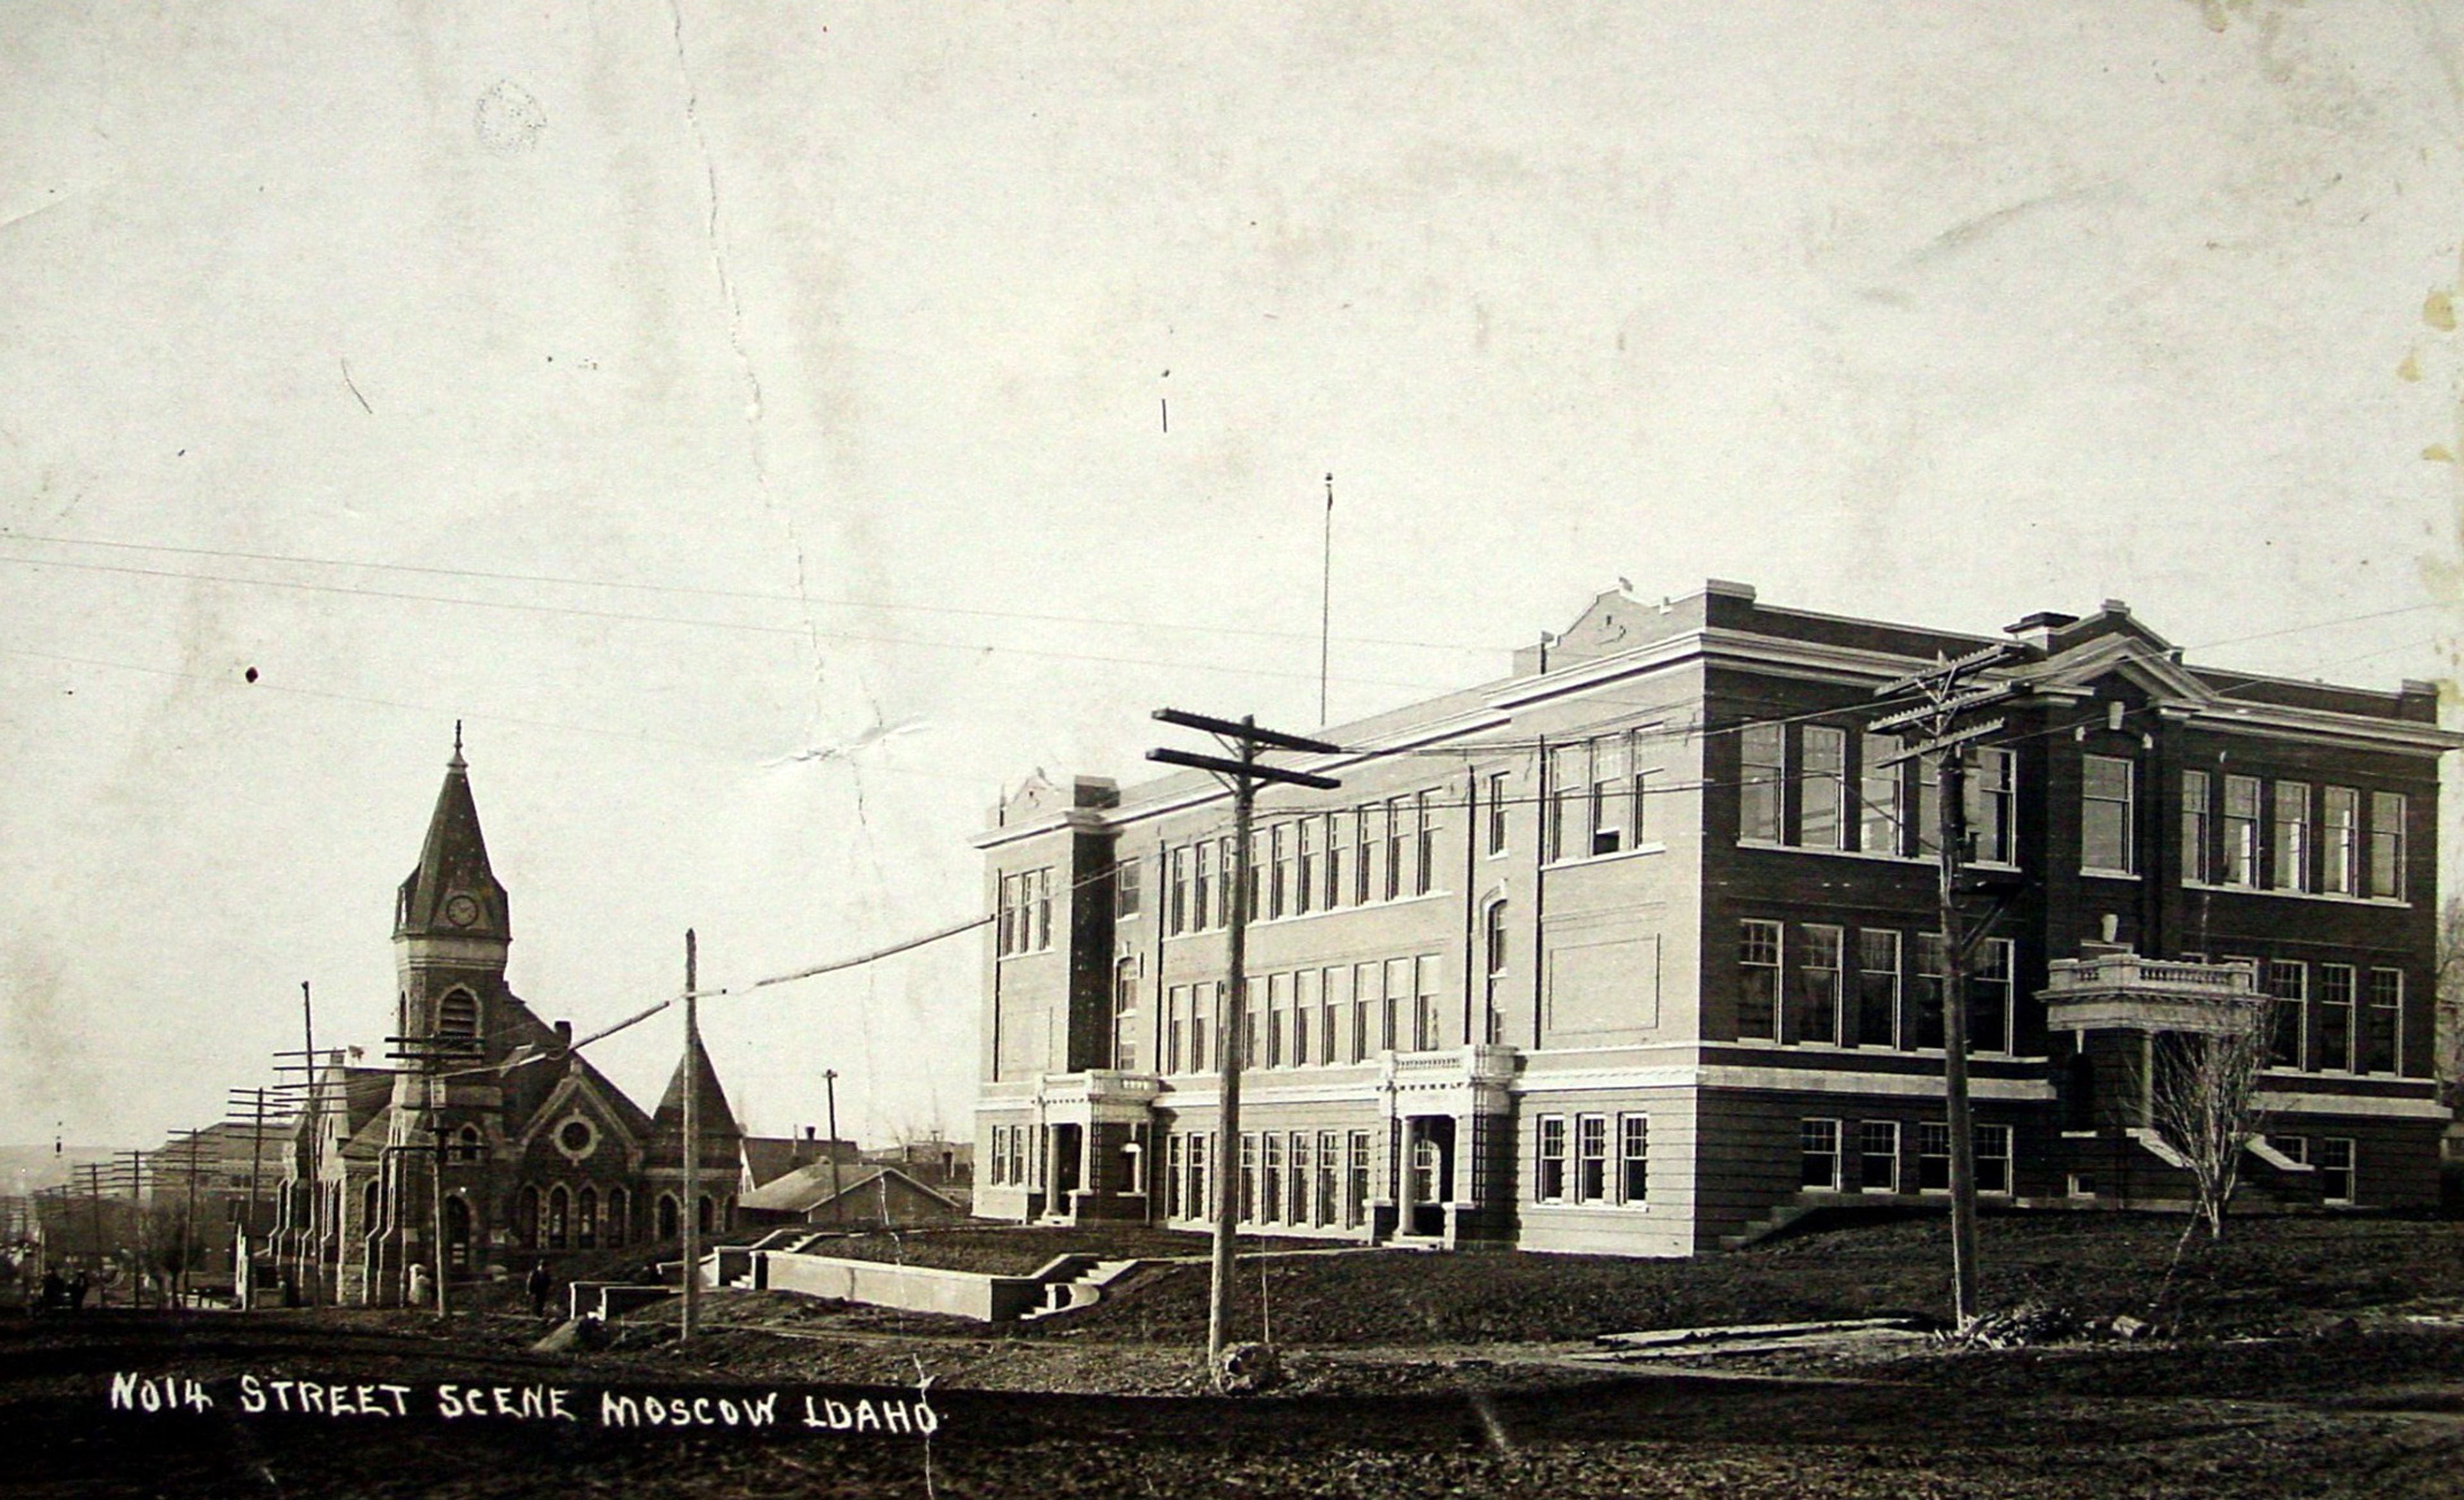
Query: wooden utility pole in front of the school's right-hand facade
x=1935 y=733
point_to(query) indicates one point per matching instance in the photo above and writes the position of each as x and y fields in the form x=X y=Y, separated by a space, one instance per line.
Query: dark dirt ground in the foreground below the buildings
x=2312 y=1358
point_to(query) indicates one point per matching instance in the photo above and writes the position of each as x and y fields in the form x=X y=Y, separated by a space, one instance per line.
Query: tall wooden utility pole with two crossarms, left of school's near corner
x=1243 y=775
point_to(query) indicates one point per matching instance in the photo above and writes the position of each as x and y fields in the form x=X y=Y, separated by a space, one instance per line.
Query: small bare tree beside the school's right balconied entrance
x=2204 y=1102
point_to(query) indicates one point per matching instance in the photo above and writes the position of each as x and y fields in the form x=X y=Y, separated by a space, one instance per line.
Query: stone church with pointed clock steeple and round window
x=487 y=1142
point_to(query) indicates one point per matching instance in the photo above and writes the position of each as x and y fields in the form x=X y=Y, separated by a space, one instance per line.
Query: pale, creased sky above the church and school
x=772 y=430
